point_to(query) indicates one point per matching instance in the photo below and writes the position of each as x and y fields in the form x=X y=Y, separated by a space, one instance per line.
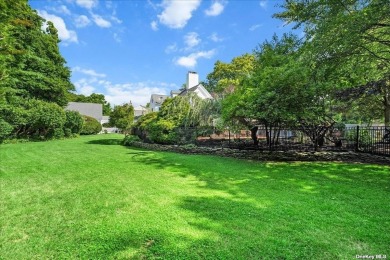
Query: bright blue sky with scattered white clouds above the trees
x=128 y=50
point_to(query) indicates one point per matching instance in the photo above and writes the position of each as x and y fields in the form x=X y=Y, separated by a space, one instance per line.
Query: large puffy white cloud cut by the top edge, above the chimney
x=176 y=13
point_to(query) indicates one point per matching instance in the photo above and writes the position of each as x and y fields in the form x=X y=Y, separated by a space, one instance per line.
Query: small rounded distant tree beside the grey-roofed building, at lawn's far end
x=122 y=116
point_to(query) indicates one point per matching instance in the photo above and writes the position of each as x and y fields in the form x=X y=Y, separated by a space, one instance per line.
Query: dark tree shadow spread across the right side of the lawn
x=318 y=207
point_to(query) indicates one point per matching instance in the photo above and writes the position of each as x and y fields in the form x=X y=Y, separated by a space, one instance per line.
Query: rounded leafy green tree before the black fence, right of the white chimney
x=271 y=94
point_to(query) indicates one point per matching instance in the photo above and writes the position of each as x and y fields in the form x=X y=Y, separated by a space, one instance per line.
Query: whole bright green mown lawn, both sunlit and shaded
x=91 y=198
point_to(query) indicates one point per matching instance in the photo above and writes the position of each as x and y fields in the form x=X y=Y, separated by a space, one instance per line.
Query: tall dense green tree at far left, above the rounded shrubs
x=31 y=57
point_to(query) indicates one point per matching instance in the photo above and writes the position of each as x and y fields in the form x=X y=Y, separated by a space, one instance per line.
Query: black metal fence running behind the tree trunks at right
x=375 y=140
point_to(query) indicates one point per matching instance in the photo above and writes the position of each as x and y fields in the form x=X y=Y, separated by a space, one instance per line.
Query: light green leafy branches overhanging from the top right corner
x=352 y=37
